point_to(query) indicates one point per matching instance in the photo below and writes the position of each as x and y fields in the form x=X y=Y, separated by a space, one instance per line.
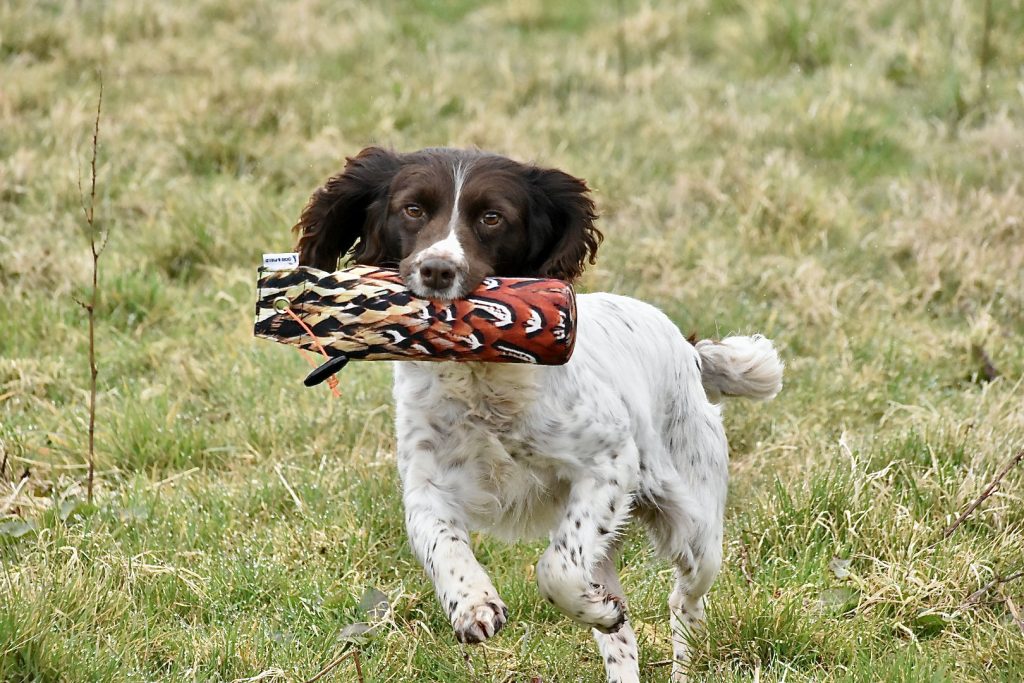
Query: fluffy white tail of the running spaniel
x=740 y=367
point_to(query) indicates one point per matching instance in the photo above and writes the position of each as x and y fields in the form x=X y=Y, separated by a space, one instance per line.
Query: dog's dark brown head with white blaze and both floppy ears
x=449 y=219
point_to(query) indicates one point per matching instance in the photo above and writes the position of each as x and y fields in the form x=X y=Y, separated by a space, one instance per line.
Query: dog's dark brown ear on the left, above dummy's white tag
x=349 y=208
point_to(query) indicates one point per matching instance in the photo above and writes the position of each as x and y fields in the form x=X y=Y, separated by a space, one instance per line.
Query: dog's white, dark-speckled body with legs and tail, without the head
x=625 y=430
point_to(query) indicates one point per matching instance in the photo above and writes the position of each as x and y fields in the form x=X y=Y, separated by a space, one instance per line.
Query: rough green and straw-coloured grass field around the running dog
x=844 y=178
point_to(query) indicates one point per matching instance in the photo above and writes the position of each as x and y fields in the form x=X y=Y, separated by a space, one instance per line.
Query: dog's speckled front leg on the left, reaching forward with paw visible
x=441 y=541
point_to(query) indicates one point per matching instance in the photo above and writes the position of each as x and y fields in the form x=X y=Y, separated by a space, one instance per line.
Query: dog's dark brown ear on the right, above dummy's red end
x=563 y=232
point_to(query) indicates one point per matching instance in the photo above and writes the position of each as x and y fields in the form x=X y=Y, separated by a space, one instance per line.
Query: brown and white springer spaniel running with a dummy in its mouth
x=628 y=429
